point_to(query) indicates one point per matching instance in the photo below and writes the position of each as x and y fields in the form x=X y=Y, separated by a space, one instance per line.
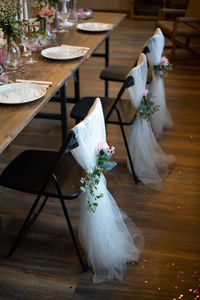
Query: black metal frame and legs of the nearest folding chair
x=69 y=144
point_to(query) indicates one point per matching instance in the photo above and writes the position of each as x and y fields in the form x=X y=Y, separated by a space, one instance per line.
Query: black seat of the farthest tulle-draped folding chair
x=115 y=73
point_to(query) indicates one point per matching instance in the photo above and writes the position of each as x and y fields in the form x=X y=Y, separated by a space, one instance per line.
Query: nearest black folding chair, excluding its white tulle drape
x=45 y=174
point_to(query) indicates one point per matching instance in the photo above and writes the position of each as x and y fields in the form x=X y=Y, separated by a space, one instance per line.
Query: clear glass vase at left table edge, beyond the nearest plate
x=11 y=55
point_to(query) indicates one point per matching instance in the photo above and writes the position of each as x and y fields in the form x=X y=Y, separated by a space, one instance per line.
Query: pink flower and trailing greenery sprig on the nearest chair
x=91 y=180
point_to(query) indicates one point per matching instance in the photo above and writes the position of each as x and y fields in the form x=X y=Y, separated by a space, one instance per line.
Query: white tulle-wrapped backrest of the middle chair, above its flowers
x=139 y=75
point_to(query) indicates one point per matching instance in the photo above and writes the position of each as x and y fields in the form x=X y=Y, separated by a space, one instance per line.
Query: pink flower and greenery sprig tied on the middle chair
x=147 y=107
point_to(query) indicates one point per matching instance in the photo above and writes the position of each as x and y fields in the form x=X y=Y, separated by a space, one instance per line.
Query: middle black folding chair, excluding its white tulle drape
x=116 y=111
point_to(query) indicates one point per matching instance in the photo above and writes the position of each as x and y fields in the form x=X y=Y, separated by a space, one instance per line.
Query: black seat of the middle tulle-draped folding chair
x=81 y=108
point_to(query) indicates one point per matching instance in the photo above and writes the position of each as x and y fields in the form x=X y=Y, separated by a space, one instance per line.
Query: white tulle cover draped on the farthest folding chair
x=162 y=119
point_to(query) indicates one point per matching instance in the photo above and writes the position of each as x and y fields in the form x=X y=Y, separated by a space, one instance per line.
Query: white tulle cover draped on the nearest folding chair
x=103 y=234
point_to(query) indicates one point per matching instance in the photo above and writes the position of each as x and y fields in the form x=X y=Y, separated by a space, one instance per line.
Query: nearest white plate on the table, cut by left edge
x=18 y=93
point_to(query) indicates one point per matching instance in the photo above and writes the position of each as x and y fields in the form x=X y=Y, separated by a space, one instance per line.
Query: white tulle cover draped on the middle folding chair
x=150 y=162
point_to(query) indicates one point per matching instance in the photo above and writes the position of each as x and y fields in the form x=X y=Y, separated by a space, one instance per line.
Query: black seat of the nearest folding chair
x=28 y=171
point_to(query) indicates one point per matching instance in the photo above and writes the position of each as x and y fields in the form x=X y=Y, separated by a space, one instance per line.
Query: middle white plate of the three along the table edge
x=63 y=52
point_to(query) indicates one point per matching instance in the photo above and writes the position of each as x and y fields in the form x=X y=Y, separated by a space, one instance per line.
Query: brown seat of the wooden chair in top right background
x=183 y=30
